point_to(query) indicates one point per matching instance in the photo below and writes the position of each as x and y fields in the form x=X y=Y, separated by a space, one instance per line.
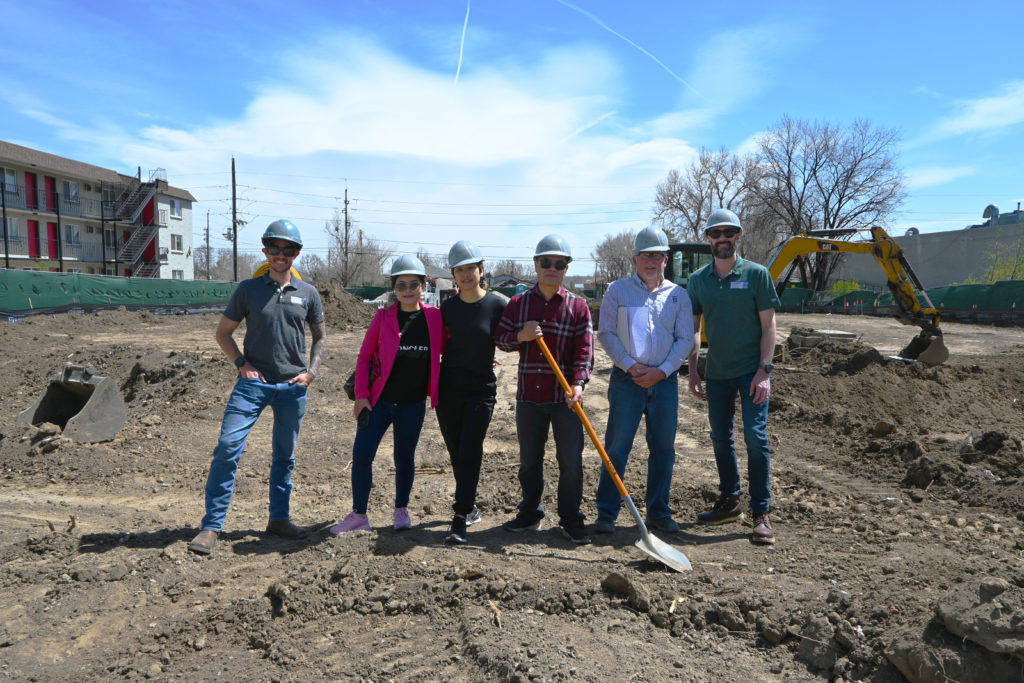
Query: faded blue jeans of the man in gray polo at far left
x=246 y=404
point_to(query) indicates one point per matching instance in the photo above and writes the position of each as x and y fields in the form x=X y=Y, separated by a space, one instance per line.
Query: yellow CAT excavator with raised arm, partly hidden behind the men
x=686 y=259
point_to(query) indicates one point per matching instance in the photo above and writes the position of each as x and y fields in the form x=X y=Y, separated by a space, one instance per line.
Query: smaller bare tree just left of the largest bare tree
x=714 y=180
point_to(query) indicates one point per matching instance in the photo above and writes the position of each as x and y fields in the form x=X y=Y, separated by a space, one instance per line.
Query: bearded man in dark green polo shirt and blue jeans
x=738 y=301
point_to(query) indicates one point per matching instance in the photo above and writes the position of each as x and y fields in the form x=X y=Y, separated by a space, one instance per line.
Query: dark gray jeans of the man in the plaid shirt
x=533 y=421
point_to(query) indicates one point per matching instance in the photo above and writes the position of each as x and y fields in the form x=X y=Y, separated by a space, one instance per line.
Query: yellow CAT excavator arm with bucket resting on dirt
x=903 y=282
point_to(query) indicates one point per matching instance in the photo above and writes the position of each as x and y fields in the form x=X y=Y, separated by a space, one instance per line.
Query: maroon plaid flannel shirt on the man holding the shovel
x=568 y=332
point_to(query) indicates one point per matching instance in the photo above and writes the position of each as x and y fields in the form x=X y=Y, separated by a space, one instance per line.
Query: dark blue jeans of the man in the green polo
x=721 y=410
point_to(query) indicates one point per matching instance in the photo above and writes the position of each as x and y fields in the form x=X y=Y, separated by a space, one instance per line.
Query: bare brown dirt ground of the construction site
x=898 y=493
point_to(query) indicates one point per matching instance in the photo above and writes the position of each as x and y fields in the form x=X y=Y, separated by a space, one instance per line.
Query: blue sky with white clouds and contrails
x=500 y=121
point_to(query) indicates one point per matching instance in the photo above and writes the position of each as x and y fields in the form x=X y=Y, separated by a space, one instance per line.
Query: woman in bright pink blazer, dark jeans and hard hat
x=398 y=368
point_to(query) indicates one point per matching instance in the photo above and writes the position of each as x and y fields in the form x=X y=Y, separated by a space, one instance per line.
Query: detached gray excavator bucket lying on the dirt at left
x=87 y=407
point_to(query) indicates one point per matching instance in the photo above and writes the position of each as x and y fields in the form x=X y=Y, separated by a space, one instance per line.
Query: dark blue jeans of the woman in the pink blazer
x=408 y=421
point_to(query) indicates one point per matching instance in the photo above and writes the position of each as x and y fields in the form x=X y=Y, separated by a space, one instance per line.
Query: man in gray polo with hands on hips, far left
x=273 y=372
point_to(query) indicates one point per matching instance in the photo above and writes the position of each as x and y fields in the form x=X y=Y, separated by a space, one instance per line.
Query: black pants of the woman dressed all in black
x=464 y=420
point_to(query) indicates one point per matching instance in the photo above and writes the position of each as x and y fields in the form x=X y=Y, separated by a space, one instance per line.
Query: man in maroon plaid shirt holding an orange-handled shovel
x=564 y=320
